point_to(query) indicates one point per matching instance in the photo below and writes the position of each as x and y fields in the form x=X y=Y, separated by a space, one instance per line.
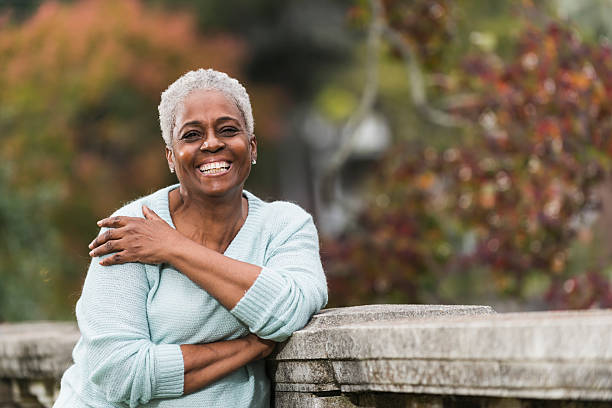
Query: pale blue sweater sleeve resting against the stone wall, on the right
x=291 y=286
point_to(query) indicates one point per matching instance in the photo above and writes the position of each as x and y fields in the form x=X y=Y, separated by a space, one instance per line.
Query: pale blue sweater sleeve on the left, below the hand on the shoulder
x=120 y=358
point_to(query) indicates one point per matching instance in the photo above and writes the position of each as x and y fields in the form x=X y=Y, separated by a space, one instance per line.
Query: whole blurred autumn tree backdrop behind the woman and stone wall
x=450 y=151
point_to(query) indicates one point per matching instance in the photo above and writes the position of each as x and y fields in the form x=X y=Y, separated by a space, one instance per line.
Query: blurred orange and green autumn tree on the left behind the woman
x=79 y=88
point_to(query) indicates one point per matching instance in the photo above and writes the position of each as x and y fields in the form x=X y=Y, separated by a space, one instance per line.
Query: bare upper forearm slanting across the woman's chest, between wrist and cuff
x=226 y=279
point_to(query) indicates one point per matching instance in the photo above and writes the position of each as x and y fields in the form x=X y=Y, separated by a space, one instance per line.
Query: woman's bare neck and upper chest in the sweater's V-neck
x=210 y=221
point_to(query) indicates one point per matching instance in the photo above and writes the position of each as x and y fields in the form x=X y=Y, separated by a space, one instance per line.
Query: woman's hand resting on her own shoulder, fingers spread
x=133 y=239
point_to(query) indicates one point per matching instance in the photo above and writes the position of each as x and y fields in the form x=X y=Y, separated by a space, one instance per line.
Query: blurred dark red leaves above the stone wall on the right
x=509 y=200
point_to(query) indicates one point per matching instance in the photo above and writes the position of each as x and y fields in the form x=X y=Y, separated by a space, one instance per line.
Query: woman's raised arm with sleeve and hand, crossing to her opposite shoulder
x=273 y=300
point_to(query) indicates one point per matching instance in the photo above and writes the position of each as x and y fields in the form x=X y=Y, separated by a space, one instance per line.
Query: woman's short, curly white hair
x=202 y=79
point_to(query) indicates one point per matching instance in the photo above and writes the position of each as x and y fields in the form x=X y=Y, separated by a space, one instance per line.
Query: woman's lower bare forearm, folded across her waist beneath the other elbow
x=206 y=363
